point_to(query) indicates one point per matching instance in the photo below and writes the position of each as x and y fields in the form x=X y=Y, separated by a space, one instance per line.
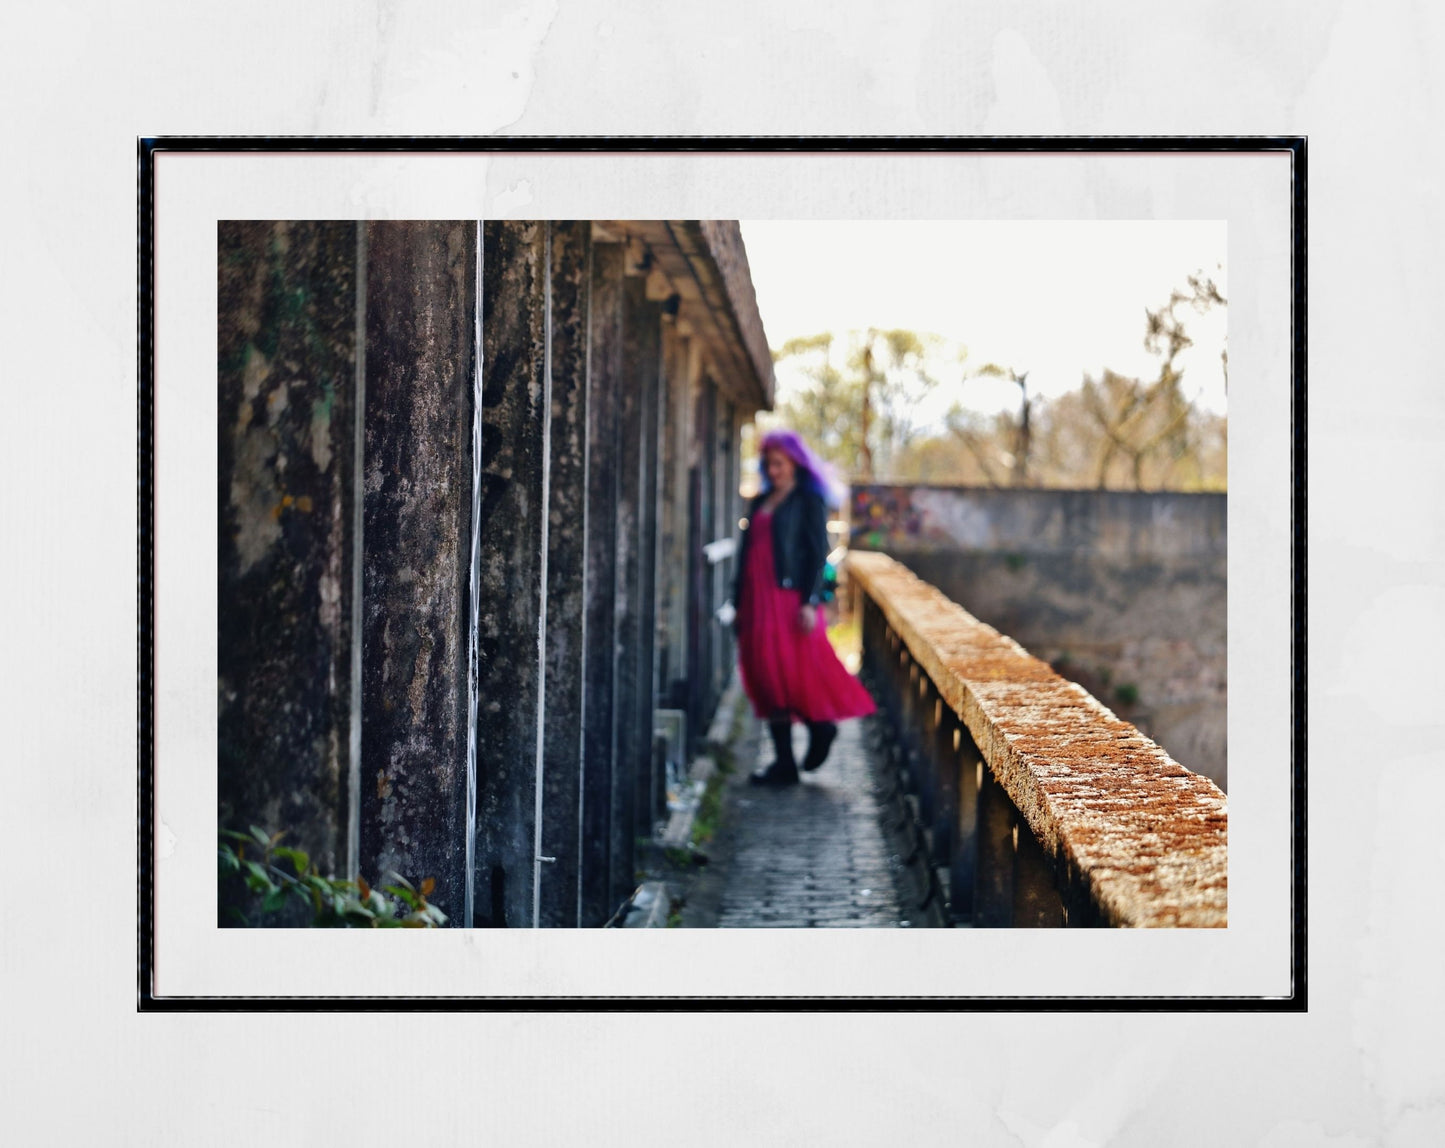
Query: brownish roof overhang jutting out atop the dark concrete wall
x=703 y=265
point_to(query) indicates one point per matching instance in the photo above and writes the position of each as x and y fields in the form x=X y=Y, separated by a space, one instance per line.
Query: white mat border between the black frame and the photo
x=1251 y=192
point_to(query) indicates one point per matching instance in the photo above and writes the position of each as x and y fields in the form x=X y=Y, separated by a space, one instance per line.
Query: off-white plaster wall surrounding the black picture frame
x=1365 y=1066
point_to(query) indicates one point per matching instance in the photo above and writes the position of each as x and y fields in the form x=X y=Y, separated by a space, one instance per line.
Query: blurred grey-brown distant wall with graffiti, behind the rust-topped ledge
x=1122 y=592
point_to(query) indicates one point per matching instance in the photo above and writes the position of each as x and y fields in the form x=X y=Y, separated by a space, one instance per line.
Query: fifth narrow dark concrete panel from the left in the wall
x=605 y=847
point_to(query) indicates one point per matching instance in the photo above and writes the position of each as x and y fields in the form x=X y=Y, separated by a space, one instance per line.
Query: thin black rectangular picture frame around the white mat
x=151 y=148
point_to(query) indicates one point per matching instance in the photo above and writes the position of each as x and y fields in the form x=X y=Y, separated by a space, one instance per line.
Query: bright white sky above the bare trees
x=1056 y=299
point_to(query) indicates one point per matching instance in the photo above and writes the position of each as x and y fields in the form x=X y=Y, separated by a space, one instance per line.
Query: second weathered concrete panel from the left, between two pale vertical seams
x=420 y=381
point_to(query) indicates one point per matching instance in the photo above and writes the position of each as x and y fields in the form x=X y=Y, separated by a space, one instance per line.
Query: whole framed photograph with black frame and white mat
x=453 y=459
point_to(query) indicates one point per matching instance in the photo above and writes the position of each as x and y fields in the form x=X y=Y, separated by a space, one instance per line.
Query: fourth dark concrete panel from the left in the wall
x=570 y=286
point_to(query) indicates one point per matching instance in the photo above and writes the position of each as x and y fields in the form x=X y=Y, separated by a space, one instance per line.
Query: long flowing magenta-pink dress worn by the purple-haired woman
x=785 y=669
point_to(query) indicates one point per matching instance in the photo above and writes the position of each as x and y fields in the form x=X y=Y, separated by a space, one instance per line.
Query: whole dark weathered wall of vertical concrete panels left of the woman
x=369 y=445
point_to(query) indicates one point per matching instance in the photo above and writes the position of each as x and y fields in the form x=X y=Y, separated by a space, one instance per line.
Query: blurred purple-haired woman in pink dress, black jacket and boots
x=788 y=667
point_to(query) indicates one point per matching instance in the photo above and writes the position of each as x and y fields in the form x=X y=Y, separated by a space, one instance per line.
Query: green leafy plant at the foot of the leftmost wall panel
x=335 y=903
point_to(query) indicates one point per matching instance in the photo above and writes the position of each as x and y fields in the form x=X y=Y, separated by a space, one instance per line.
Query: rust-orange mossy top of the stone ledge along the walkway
x=1145 y=836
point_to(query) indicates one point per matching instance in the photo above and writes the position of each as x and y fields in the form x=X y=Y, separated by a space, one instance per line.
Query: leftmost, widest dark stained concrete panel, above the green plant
x=287 y=404
